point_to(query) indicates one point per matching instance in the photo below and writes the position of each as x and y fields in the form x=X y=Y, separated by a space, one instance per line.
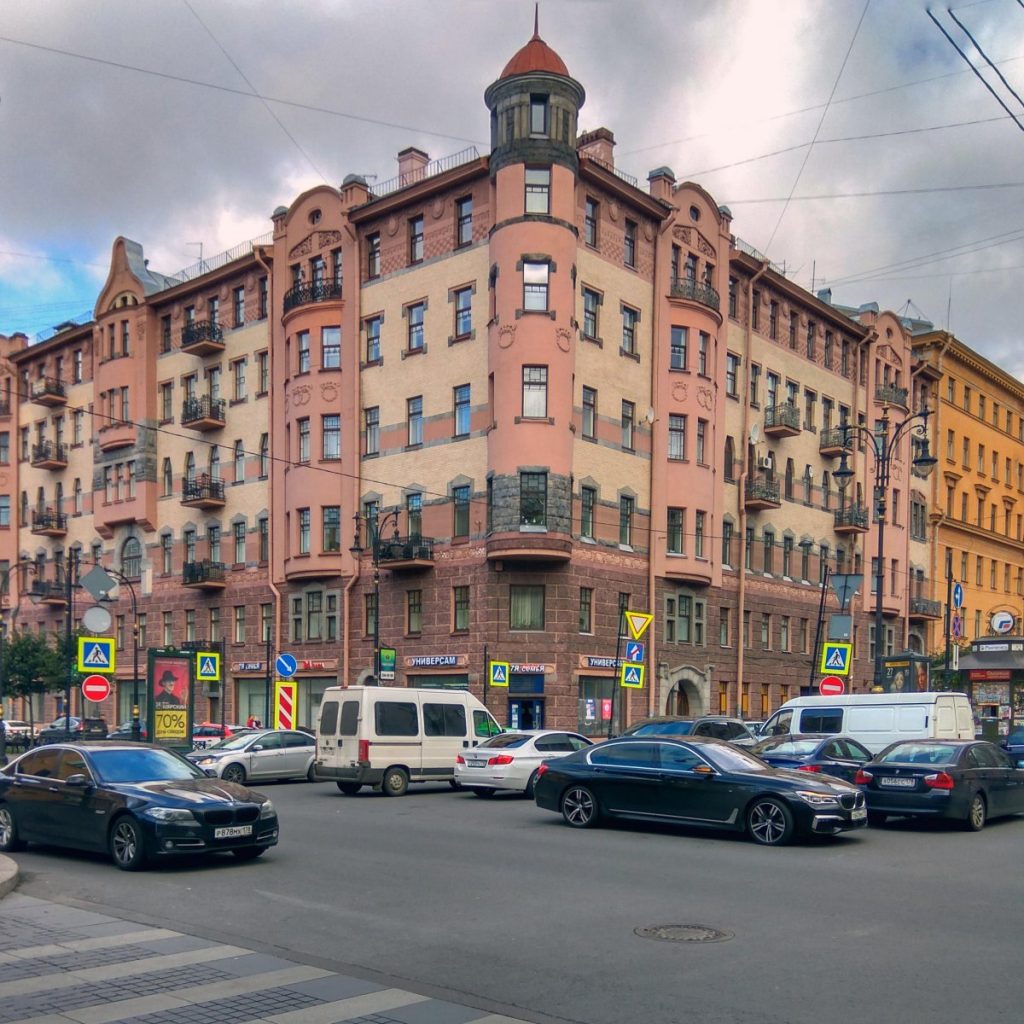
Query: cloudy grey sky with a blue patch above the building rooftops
x=854 y=144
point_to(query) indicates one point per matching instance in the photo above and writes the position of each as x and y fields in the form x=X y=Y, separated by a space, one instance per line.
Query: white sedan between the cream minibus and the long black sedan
x=510 y=760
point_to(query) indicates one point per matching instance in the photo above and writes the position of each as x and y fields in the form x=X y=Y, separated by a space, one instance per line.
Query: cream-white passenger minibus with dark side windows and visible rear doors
x=393 y=736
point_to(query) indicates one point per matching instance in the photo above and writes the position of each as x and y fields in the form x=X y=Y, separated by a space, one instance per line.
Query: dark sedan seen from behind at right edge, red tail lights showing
x=962 y=781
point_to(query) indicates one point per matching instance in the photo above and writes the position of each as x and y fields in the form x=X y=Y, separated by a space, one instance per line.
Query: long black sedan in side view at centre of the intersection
x=701 y=783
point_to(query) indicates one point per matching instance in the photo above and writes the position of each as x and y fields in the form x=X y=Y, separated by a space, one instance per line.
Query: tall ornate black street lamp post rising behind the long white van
x=883 y=445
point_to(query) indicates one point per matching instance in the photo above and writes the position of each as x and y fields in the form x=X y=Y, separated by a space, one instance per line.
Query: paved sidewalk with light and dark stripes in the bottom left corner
x=61 y=965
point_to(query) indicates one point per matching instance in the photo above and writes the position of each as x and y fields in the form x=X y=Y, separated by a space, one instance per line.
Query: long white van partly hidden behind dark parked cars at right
x=877 y=719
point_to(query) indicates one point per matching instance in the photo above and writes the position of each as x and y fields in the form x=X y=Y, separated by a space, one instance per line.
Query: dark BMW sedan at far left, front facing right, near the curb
x=132 y=800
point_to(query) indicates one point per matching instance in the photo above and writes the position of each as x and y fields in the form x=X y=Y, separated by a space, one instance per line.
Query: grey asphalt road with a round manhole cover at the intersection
x=497 y=899
